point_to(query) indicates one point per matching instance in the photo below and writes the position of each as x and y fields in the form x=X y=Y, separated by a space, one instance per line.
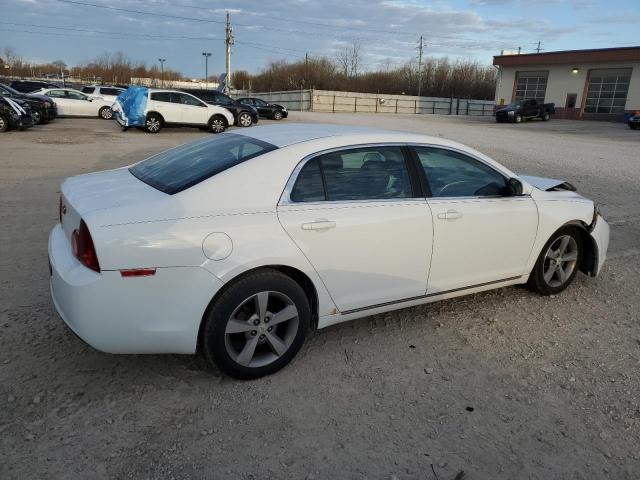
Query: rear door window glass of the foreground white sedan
x=368 y=173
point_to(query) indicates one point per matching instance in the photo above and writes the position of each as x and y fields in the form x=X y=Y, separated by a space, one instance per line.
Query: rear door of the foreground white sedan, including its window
x=354 y=215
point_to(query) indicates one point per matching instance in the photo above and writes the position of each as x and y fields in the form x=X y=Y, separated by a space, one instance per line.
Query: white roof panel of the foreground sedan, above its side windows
x=285 y=135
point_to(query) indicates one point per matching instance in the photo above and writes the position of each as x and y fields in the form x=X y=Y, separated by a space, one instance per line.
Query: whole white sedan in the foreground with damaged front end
x=238 y=245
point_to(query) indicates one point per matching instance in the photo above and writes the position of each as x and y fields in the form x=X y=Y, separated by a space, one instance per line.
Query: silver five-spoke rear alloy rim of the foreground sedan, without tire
x=261 y=329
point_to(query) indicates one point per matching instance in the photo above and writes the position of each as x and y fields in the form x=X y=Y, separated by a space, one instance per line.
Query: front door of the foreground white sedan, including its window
x=481 y=234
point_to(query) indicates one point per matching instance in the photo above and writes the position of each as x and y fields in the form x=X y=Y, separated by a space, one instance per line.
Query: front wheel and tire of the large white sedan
x=562 y=253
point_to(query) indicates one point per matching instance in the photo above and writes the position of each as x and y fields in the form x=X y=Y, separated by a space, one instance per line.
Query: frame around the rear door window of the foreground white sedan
x=417 y=194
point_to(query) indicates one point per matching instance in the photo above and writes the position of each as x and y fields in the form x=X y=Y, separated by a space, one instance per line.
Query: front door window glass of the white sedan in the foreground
x=453 y=174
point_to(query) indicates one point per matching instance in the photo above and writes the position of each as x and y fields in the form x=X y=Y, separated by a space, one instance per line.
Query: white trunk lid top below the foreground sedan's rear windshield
x=107 y=189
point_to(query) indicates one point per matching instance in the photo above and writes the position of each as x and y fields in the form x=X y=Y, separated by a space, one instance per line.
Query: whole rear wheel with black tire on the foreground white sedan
x=245 y=344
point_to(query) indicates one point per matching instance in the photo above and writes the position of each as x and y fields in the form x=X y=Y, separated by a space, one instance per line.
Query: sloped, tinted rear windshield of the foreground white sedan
x=187 y=165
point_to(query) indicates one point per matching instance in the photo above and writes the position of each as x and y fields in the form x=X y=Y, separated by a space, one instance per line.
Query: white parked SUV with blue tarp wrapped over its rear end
x=172 y=107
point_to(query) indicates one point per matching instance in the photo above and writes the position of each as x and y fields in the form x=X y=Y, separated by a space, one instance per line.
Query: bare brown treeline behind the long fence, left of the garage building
x=440 y=78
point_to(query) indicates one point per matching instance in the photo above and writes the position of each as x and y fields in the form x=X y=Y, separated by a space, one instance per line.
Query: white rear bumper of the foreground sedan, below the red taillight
x=157 y=314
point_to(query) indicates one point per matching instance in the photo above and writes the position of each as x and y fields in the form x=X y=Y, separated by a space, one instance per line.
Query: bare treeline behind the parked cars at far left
x=106 y=68
